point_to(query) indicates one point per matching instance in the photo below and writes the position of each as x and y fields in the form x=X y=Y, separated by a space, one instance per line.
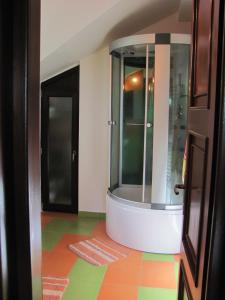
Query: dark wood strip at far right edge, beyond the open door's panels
x=215 y=279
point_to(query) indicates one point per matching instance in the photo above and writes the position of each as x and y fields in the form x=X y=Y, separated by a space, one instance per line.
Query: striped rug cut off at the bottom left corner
x=53 y=287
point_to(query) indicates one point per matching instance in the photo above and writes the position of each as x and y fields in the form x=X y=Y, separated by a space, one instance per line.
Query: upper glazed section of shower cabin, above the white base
x=148 y=121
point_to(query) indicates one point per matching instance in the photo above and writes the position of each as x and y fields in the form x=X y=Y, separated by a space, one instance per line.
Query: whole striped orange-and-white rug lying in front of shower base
x=99 y=251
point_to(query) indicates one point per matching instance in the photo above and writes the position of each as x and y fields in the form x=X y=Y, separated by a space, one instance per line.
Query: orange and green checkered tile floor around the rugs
x=141 y=276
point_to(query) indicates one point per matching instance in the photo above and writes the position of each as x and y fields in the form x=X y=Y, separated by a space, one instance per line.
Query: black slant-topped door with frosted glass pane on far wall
x=60 y=131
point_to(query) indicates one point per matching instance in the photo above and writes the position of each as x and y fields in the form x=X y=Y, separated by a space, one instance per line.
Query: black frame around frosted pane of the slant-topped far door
x=71 y=77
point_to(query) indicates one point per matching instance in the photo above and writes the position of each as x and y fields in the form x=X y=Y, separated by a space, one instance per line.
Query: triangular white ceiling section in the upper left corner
x=61 y=20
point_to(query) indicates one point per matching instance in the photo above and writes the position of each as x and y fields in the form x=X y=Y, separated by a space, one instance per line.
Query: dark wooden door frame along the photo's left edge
x=20 y=146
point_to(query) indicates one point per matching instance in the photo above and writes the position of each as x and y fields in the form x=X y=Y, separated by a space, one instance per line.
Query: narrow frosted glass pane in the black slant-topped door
x=60 y=148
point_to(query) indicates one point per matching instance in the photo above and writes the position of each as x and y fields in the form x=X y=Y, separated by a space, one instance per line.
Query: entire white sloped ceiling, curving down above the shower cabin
x=73 y=29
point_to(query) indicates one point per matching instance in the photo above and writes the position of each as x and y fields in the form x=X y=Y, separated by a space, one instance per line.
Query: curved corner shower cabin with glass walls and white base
x=148 y=123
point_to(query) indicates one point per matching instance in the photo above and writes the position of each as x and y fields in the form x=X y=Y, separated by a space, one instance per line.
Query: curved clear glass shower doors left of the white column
x=132 y=122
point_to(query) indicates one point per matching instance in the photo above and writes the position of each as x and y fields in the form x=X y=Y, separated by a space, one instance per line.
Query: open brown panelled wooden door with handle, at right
x=201 y=138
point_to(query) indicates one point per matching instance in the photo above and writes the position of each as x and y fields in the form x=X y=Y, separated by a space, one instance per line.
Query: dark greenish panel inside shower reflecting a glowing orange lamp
x=133 y=119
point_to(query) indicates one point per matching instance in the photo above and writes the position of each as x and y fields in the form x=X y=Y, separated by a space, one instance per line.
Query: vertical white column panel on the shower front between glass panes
x=161 y=123
